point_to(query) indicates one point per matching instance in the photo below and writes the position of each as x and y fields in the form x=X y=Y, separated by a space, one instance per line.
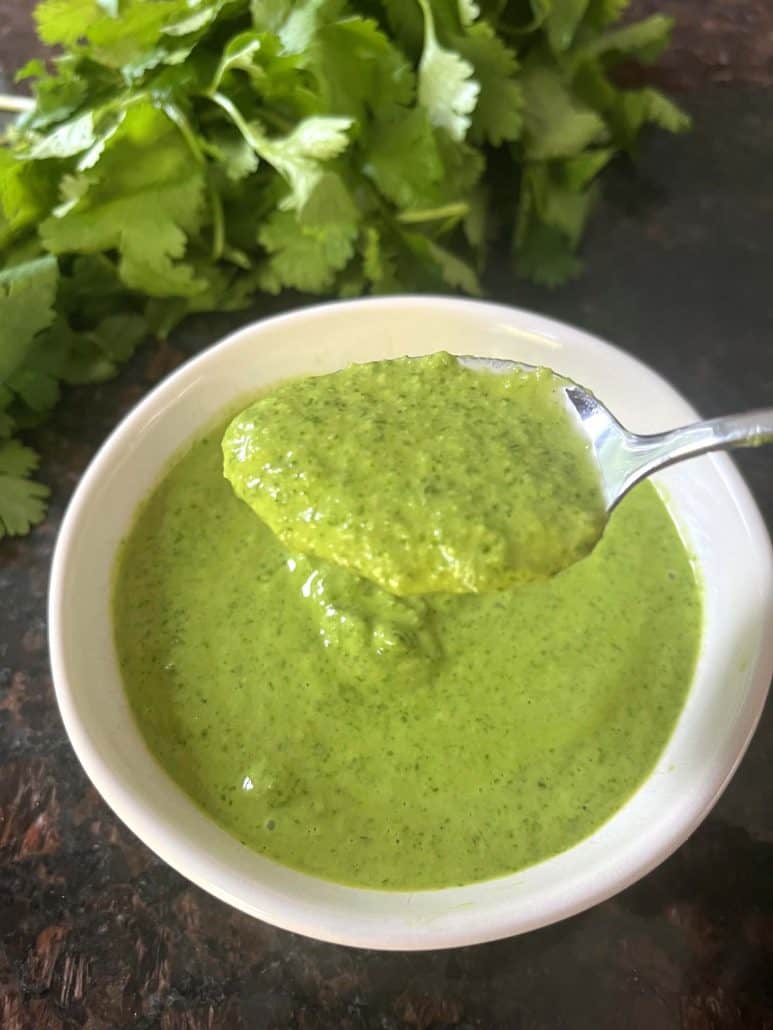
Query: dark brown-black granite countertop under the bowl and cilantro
x=97 y=933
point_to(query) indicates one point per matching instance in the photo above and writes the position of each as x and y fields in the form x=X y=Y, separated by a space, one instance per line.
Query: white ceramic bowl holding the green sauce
x=711 y=503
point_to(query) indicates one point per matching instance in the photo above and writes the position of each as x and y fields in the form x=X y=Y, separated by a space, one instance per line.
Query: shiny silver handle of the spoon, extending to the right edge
x=638 y=457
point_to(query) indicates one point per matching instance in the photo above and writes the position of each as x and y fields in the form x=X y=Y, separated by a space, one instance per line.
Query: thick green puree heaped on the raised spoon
x=422 y=475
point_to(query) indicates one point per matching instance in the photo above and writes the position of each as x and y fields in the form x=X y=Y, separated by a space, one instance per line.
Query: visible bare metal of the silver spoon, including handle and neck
x=625 y=459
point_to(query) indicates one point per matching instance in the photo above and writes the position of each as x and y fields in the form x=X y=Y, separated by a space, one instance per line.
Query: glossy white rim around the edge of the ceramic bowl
x=129 y=808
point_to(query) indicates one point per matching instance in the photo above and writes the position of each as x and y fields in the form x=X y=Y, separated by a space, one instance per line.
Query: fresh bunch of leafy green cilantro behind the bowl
x=184 y=155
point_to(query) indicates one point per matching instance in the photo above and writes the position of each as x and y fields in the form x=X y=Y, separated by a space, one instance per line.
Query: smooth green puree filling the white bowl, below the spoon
x=398 y=743
